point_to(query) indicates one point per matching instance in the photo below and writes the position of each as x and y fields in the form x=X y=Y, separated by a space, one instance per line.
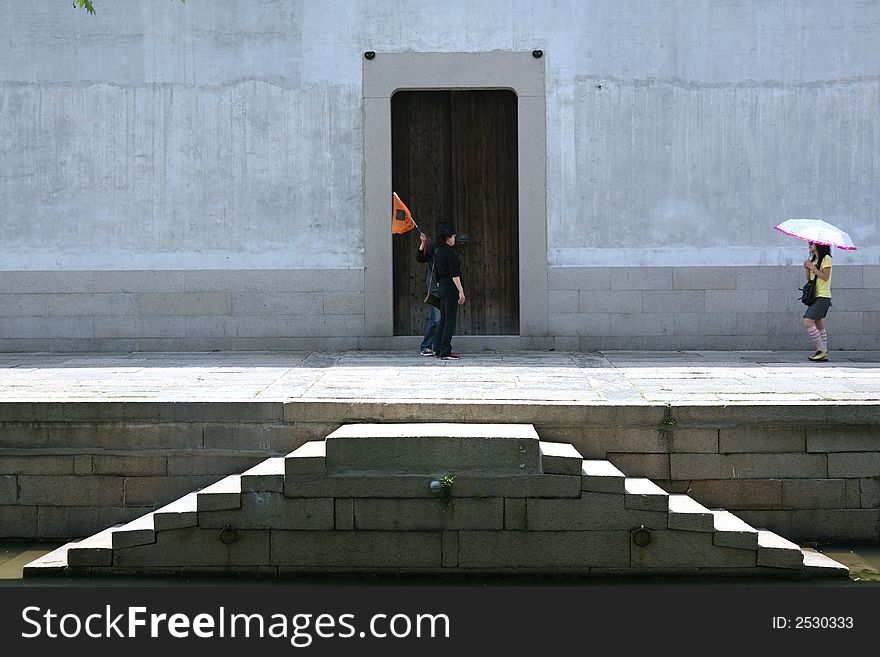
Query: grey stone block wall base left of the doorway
x=199 y=310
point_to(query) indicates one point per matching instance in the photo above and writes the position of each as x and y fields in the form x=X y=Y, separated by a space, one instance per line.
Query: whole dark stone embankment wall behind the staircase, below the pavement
x=808 y=473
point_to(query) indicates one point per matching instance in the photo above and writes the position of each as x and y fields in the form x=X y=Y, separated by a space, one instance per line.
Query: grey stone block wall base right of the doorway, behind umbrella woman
x=724 y=308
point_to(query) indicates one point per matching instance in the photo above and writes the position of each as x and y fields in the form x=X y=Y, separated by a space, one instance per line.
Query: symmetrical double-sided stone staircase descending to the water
x=435 y=498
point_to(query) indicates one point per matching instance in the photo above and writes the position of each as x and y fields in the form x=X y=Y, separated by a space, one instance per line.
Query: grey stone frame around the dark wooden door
x=520 y=72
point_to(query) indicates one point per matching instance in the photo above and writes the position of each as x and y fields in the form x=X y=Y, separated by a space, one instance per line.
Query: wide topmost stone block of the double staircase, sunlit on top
x=442 y=448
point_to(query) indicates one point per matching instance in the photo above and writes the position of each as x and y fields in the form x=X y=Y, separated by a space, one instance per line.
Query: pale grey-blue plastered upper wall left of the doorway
x=162 y=136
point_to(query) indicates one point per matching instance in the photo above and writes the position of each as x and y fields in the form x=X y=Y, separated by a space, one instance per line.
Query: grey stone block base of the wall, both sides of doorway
x=725 y=308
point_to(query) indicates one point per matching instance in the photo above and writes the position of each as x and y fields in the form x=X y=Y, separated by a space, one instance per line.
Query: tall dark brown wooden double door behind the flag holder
x=454 y=158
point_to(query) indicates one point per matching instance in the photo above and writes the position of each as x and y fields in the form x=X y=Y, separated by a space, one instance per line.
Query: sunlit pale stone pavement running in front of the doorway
x=615 y=377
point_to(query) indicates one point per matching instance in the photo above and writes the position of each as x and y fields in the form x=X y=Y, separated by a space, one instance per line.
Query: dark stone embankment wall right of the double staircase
x=810 y=473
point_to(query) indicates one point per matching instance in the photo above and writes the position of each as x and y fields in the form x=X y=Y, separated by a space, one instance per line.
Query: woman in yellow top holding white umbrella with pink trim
x=821 y=236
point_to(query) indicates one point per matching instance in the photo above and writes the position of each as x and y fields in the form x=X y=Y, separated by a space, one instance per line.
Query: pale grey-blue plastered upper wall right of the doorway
x=681 y=132
